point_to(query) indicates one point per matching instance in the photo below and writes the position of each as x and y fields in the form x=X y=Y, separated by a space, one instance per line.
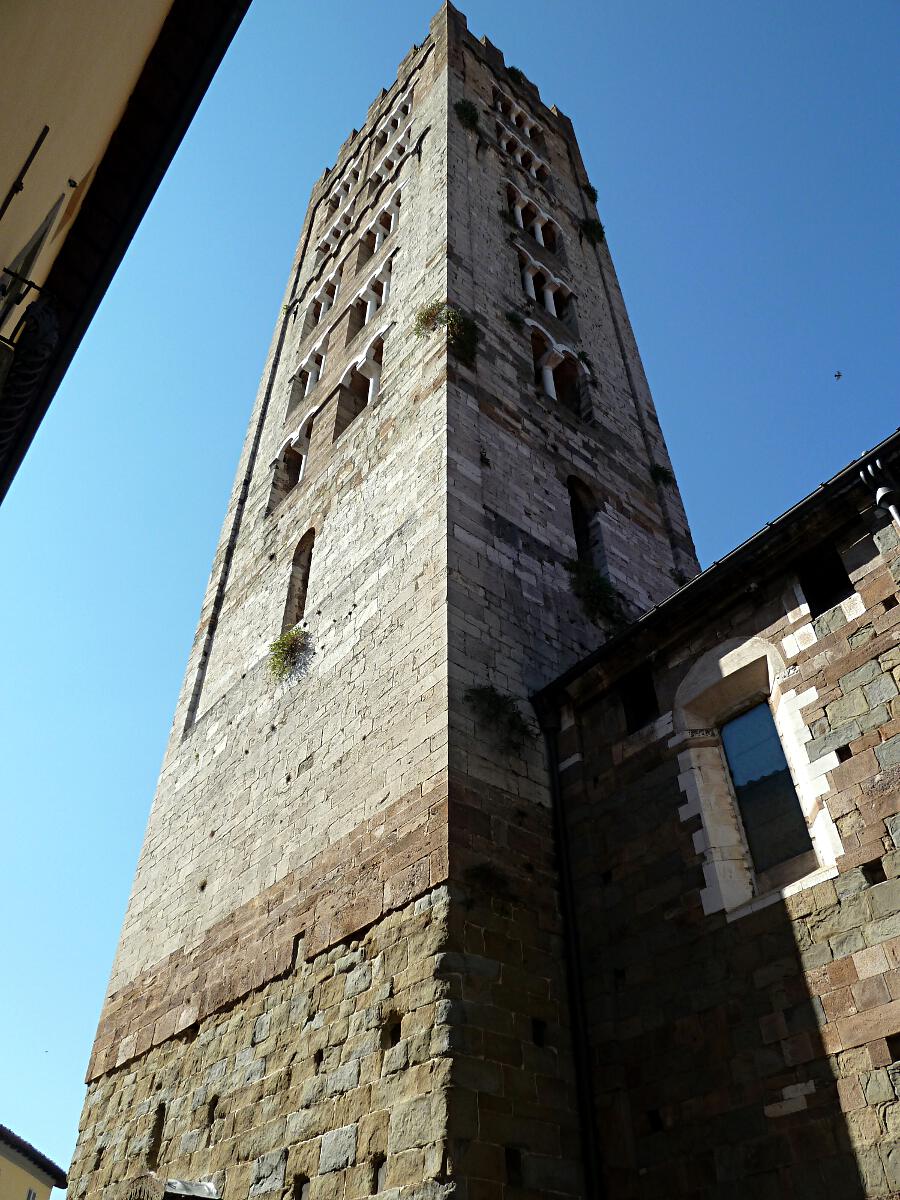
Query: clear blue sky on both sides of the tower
x=747 y=163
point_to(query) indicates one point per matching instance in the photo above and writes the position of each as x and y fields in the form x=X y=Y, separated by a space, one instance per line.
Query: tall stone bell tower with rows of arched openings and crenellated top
x=343 y=969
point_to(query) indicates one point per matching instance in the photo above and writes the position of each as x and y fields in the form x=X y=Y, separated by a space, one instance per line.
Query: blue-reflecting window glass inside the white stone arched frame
x=773 y=820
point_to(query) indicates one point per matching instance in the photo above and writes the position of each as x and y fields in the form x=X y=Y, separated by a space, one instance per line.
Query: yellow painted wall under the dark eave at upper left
x=73 y=67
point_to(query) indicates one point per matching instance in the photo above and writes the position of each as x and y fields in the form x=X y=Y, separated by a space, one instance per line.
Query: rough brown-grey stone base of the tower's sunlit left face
x=335 y=1073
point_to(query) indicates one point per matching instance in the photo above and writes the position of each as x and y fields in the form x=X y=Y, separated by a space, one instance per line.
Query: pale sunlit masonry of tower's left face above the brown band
x=260 y=779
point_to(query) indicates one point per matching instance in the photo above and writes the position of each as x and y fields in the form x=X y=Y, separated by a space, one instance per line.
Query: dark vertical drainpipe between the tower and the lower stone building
x=595 y=1186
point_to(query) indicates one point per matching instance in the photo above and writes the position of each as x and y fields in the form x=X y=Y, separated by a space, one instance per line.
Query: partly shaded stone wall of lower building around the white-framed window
x=753 y=1053
